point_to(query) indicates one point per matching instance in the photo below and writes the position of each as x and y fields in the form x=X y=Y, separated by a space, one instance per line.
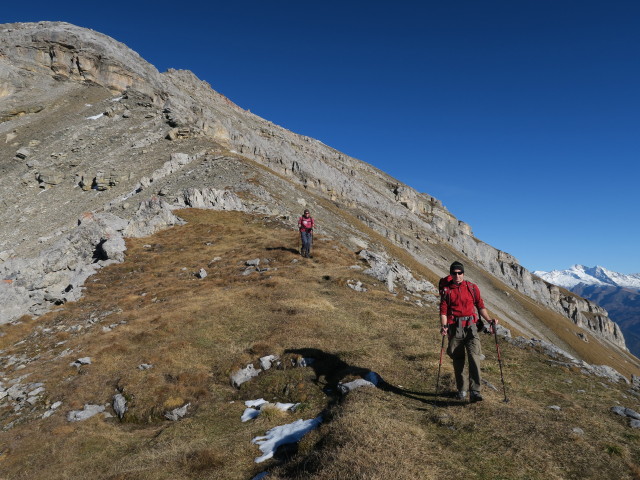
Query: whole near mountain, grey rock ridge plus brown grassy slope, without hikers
x=158 y=322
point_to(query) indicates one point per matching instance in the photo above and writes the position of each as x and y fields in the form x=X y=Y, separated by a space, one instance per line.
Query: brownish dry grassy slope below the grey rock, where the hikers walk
x=197 y=331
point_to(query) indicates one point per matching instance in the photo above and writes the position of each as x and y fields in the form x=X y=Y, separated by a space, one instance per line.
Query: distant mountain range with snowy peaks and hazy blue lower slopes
x=618 y=293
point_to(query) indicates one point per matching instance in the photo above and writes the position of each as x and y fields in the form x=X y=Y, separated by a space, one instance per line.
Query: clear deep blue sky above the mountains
x=523 y=117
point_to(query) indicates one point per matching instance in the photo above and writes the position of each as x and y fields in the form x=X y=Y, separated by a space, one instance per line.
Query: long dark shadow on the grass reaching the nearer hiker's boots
x=334 y=370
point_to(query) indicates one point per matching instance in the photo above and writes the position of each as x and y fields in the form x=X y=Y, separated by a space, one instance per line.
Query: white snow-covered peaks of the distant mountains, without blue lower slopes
x=597 y=275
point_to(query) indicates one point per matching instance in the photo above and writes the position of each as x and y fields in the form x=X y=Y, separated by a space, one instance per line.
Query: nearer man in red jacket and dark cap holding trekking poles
x=459 y=300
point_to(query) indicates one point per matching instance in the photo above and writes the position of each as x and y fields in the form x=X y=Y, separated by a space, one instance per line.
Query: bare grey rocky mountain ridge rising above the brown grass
x=90 y=126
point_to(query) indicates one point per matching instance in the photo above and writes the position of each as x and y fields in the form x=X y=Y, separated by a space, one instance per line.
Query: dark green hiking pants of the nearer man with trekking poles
x=466 y=343
